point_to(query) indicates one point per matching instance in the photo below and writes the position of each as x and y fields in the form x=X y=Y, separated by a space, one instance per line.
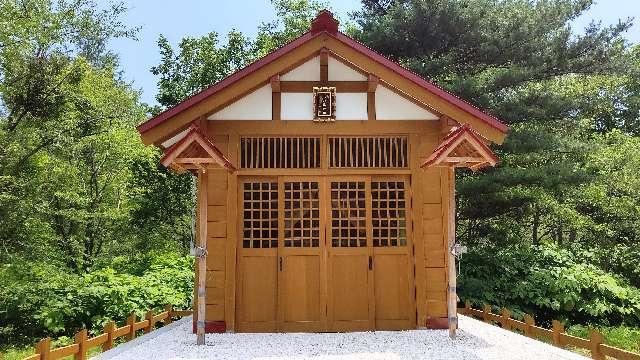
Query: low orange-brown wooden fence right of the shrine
x=557 y=336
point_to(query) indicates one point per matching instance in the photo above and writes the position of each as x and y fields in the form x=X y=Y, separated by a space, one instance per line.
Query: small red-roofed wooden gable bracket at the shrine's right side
x=463 y=135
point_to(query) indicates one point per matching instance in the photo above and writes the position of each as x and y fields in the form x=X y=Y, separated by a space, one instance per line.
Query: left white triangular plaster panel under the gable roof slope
x=254 y=106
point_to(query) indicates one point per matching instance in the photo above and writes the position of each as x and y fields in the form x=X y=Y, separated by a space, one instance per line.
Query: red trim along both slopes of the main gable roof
x=197 y=98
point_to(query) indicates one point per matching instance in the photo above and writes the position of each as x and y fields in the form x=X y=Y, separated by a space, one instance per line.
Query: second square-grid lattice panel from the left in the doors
x=301 y=214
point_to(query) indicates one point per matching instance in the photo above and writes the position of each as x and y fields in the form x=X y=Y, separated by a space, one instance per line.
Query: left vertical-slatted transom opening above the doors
x=279 y=152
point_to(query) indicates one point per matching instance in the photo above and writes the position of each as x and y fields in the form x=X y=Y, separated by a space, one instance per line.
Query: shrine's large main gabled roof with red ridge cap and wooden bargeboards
x=323 y=34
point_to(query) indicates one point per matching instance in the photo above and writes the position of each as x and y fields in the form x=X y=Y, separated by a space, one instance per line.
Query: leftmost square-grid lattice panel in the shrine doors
x=260 y=215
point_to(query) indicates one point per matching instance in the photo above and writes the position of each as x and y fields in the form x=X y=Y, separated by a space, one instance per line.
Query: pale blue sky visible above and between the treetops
x=177 y=19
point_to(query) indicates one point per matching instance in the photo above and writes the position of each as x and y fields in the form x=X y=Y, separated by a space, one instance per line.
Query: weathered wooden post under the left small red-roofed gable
x=202 y=253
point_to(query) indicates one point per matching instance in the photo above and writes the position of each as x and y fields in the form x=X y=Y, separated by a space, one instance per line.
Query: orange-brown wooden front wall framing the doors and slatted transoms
x=428 y=213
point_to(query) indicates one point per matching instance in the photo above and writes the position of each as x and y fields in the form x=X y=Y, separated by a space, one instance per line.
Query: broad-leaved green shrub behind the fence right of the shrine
x=549 y=282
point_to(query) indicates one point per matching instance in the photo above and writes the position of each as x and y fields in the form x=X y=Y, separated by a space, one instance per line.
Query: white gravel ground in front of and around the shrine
x=476 y=340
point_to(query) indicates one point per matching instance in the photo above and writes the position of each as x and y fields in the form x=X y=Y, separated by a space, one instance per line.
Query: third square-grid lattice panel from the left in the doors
x=348 y=214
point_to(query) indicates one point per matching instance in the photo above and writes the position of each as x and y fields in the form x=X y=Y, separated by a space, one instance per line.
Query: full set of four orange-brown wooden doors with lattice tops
x=325 y=254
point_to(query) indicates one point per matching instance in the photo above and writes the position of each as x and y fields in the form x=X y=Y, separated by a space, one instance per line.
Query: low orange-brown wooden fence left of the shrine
x=82 y=342
